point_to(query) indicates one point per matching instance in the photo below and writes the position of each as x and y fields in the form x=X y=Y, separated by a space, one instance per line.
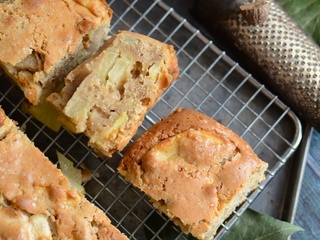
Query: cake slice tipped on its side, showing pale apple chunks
x=107 y=96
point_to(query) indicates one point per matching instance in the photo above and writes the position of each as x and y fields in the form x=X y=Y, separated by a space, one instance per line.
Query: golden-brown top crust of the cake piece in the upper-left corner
x=49 y=28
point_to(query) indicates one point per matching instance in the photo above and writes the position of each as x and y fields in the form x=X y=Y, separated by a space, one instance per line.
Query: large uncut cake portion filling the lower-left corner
x=36 y=201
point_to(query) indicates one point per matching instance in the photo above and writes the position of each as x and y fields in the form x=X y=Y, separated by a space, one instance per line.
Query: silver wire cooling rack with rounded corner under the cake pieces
x=210 y=82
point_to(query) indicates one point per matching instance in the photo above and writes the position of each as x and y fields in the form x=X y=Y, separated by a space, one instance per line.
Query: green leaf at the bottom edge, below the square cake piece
x=256 y=226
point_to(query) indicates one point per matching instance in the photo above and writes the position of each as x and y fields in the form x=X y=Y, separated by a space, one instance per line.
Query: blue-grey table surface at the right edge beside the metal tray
x=308 y=209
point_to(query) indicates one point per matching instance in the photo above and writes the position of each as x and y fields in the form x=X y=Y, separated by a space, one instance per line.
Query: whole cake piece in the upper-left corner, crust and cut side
x=41 y=40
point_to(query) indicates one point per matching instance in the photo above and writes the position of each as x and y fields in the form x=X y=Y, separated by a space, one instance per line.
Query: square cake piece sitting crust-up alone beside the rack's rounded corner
x=195 y=170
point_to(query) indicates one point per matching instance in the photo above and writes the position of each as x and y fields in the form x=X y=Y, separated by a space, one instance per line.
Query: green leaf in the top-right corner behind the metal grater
x=306 y=13
